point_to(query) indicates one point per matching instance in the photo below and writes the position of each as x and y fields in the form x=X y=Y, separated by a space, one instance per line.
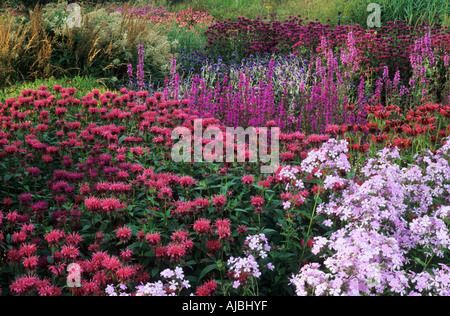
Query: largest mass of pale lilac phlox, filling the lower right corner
x=384 y=218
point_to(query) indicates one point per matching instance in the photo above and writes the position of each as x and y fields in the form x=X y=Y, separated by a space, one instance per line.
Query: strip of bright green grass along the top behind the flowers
x=326 y=11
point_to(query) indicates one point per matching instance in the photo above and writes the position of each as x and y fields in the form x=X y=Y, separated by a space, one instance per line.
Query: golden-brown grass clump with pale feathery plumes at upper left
x=102 y=47
